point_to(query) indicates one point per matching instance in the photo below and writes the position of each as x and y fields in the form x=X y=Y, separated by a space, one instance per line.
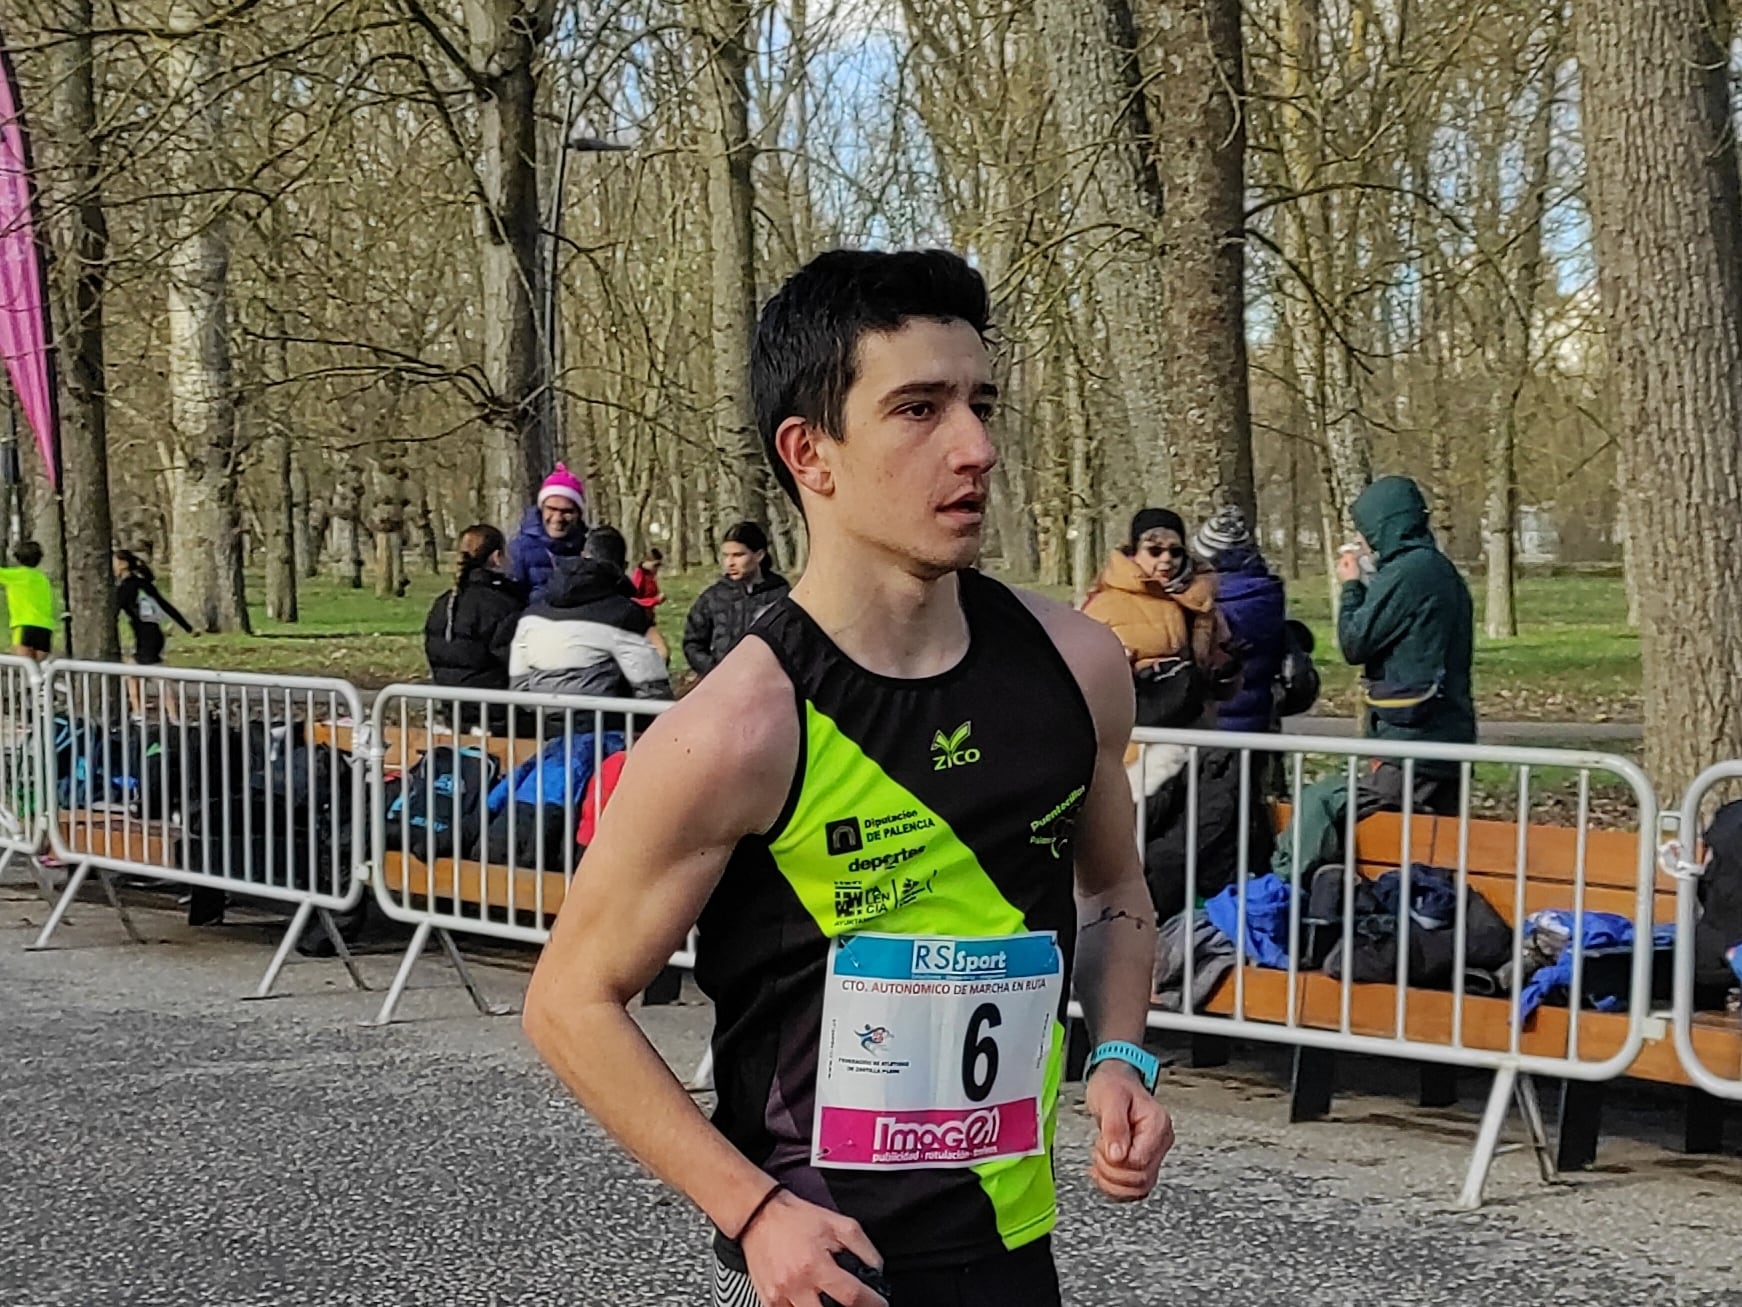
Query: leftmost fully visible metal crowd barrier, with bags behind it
x=206 y=780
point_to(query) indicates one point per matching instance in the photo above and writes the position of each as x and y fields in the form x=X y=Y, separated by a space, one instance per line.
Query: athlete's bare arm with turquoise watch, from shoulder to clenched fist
x=1116 y=937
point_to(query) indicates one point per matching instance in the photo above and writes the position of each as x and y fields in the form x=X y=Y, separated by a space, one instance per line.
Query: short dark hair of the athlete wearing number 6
x=807 y=344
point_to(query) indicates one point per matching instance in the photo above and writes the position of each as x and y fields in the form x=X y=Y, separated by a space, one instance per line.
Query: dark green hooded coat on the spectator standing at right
x=1412 y=626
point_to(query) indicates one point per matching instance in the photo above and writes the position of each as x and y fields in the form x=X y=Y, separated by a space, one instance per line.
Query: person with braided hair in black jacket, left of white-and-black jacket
x=471 y=628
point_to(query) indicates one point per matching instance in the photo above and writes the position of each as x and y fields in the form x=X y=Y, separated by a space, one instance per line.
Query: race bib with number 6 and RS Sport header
x=935 y=1050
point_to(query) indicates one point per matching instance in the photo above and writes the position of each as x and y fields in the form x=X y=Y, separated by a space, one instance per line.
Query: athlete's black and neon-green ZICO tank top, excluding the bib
x=940 y=806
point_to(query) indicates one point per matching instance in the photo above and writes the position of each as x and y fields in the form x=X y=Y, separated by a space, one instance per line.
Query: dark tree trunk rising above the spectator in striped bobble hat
x=1201 y=133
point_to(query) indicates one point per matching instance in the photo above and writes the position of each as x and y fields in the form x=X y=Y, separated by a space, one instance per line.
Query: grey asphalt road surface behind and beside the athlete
x=170 y=1146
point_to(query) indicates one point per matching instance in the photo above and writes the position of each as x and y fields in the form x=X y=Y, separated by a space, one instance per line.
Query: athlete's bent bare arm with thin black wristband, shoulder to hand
x=705 y=775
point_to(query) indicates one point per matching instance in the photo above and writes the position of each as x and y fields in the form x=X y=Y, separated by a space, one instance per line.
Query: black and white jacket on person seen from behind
x=588 y=637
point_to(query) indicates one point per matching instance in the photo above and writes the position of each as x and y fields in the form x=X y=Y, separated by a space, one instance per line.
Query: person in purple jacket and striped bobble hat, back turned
x=1253 y=604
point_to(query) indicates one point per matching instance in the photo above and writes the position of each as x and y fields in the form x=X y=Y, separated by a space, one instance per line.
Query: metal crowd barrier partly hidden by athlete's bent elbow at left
x=445 y=857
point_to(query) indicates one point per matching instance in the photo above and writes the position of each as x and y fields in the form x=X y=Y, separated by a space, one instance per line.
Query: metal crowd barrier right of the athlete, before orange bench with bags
x=1313 y=999
